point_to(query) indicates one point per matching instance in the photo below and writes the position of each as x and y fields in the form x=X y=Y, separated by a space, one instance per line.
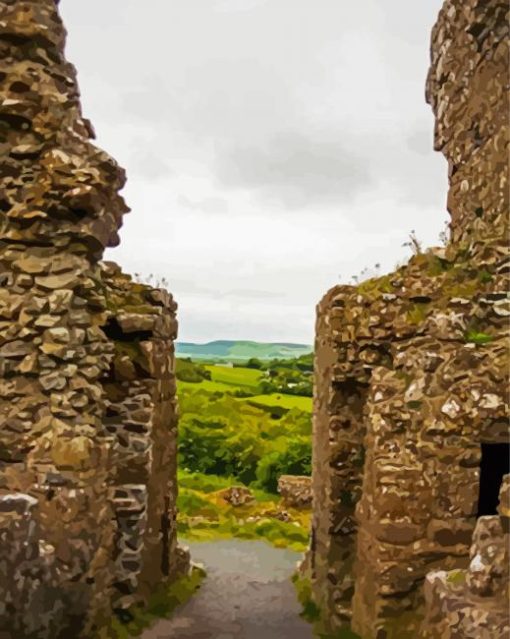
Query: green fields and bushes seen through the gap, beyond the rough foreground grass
x=233 y=424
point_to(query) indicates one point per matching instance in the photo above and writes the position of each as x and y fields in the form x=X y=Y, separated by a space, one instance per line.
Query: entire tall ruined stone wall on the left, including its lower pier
x=87 y=400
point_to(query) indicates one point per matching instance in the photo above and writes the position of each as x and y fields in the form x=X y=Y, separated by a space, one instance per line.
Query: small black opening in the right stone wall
x=495 y=463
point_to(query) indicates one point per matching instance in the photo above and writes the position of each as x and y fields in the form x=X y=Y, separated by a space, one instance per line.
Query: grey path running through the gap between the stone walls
x=247 y=595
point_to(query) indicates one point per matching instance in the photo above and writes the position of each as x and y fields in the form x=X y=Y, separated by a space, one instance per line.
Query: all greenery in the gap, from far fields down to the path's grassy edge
x=232 y=433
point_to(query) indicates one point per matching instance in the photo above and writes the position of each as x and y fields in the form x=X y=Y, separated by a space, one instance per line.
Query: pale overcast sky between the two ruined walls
x=274 y=148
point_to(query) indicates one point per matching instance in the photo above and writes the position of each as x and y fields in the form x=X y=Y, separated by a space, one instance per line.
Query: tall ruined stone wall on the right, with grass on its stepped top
x=404 y=395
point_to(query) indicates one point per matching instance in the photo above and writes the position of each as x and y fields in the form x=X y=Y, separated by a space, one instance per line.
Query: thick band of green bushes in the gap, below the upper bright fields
x=228 y=436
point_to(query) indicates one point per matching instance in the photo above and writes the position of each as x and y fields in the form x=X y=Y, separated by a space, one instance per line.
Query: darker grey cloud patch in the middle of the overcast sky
x=296 y=170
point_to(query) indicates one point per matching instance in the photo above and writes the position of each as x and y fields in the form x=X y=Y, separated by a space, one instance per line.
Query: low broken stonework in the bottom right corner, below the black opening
x=473 y=603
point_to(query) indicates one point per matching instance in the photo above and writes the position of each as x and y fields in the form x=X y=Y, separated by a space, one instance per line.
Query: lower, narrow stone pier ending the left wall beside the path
x=141 y=417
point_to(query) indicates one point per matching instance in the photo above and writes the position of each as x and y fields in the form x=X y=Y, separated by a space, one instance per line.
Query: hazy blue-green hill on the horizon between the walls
x=241 y=350
